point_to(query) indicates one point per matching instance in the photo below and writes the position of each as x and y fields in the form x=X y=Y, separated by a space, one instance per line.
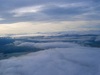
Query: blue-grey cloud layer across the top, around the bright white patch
x=52 y=10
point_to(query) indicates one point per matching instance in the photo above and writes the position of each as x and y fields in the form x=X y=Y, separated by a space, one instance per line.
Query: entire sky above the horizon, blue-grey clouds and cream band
x=31 y=16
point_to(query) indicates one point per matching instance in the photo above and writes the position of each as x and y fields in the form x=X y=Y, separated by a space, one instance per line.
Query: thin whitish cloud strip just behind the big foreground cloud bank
x=47 y=45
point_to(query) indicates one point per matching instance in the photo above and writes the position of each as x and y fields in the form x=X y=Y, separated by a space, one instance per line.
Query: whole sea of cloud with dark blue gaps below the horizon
x=60 y=54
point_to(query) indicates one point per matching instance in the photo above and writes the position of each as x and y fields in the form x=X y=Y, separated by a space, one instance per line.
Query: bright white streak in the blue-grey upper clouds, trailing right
x=34 y=9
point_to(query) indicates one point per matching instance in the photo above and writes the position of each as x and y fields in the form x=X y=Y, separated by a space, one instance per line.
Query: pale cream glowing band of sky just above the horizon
x=33 y=27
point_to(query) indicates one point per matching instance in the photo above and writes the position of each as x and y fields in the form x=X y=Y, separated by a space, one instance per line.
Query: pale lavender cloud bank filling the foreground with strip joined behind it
x=59 y=59
